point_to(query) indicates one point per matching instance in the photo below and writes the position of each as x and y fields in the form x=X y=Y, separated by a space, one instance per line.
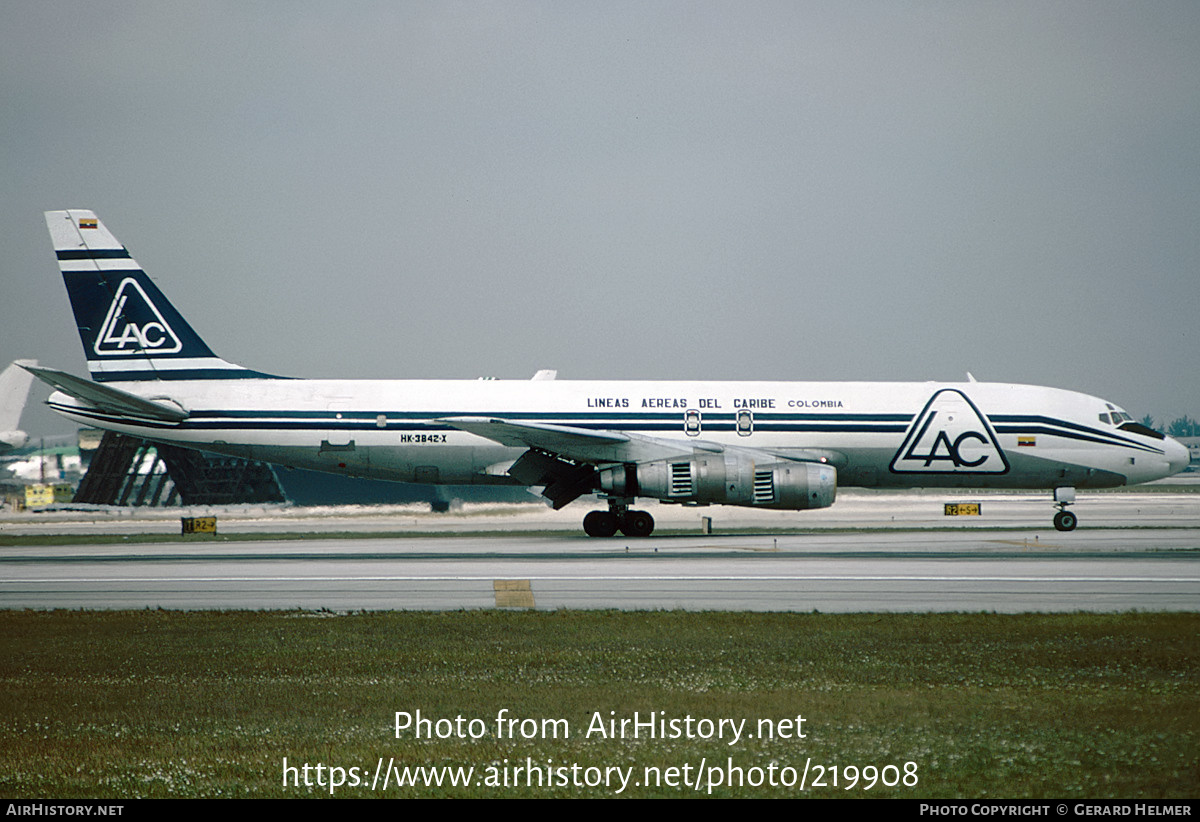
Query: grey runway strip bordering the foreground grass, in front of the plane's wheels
x=1004 y=572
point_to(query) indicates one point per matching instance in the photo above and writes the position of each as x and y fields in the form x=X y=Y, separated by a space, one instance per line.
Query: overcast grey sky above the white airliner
x=626 y=190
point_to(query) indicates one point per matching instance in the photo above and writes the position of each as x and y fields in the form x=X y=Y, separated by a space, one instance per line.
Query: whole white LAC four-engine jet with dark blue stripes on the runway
x=779 y=446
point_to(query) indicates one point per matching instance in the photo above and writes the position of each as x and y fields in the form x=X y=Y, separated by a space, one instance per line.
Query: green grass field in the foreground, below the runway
x=160 y=704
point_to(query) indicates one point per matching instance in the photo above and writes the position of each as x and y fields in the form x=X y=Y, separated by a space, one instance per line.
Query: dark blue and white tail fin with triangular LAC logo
x=130 y=331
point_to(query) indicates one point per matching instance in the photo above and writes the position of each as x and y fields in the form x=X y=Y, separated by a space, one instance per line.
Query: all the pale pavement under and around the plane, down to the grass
x=1143 y=553
